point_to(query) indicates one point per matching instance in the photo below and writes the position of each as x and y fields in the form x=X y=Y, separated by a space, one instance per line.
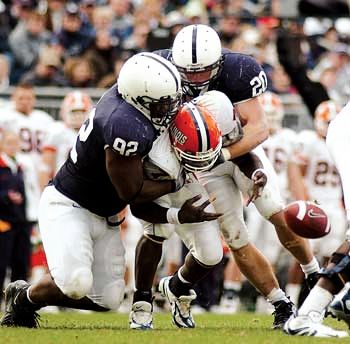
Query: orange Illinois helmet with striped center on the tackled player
x=195 y=138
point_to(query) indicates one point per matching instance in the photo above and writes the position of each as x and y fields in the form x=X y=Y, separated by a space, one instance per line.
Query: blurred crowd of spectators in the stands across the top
x=84 y=43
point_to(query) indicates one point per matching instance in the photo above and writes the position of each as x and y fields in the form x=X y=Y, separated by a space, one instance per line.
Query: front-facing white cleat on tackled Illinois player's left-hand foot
x=141 y=316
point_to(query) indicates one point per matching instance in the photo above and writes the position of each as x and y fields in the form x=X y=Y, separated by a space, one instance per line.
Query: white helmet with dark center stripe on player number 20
x=196 y=53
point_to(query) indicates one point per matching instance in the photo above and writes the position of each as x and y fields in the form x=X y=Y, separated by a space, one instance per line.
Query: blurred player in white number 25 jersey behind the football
x=314 y=177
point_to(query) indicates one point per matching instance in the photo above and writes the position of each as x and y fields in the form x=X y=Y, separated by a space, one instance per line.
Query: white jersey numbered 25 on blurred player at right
x=322 y=179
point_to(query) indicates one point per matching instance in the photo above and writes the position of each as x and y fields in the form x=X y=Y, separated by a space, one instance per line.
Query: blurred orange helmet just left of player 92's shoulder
x=75 y=108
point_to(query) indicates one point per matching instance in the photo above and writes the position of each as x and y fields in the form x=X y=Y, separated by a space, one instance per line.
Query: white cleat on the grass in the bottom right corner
x=303 y=325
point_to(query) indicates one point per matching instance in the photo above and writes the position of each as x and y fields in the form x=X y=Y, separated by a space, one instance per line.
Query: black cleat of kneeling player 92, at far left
x=15 y=313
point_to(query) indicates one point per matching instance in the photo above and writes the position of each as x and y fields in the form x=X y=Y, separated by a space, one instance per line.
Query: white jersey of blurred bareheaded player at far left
x=31 y=129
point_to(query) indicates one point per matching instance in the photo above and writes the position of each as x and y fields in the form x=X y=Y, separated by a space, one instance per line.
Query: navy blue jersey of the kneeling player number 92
x=113 y=123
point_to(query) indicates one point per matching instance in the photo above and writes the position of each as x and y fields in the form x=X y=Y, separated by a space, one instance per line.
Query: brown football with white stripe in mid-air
x=307 y=219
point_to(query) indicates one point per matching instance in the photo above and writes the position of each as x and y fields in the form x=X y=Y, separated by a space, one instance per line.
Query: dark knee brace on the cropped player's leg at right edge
x=339 y=273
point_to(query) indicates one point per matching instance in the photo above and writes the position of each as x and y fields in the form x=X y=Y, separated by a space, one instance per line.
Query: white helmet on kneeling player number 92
x=152 y=85
